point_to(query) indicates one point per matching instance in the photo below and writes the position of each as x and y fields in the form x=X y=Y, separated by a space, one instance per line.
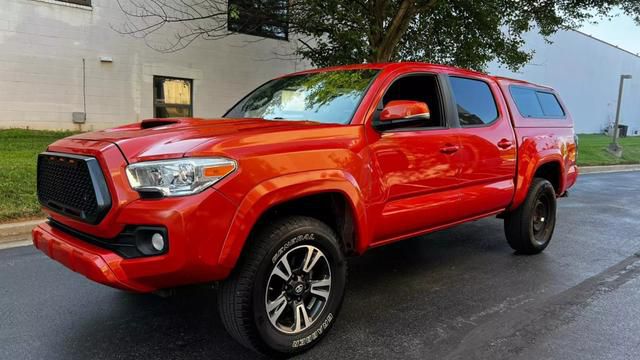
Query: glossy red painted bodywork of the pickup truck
x=398 y=184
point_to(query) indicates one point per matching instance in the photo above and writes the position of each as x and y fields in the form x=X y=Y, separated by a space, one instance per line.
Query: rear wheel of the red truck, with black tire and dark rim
x=530 y=227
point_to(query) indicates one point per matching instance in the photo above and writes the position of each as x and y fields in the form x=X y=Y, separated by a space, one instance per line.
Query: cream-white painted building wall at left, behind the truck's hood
x=43 y=42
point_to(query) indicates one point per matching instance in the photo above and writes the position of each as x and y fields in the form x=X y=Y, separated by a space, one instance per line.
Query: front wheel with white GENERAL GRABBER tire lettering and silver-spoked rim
x=261 y=310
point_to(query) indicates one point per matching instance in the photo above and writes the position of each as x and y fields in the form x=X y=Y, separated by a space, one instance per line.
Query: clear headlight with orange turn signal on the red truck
x=178 y=177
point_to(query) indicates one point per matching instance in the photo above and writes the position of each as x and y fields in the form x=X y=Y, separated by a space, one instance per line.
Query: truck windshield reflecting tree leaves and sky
x=326 y=97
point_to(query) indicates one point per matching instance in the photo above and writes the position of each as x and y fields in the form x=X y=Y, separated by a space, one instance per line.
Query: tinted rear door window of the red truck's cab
x=475 y=102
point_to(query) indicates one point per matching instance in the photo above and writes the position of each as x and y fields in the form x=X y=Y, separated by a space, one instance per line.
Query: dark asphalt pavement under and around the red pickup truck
x=456 y=294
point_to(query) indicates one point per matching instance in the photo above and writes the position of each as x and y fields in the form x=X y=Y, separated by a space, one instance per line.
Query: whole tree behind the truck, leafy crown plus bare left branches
x=465 y=33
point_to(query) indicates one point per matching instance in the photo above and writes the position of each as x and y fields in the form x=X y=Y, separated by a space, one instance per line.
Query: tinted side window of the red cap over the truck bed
x=536 y=103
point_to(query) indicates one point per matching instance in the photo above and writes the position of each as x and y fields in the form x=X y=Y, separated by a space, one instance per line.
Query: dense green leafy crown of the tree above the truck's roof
x=465 y=33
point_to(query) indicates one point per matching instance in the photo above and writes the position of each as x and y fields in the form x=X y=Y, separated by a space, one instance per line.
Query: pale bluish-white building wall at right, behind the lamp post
x=586 y=73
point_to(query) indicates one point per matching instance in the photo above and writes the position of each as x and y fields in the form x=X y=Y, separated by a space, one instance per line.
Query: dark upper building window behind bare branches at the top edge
x=266 y=18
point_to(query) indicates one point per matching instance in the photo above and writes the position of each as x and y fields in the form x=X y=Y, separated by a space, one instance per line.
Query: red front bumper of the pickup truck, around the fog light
x=197 y=226
